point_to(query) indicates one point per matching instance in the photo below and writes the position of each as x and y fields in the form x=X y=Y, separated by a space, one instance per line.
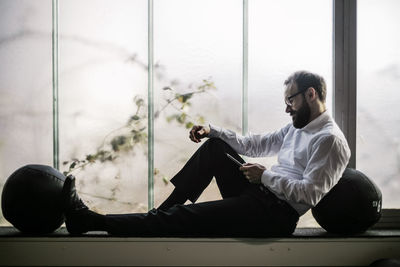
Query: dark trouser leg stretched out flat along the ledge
x=250 y=214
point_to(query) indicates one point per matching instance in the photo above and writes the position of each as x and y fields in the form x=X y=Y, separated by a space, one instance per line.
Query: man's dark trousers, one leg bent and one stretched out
x=246 y=210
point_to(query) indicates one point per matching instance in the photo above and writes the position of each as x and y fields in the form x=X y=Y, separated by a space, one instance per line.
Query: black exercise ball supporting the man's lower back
x=351 y=207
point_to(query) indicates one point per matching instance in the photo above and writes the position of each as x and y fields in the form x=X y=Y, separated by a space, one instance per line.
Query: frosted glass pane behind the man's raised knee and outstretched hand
x=195 y=40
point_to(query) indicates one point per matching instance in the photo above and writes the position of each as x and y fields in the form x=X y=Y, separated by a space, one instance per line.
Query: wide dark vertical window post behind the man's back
x=345 y=70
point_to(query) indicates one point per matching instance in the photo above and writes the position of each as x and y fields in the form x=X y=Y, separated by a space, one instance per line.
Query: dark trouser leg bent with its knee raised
x=207 y=162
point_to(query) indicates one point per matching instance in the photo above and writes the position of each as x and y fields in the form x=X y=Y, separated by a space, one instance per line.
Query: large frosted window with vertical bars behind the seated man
x=221 y=61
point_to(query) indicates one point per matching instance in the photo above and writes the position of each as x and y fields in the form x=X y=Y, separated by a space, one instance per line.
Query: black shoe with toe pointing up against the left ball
x=76 y=212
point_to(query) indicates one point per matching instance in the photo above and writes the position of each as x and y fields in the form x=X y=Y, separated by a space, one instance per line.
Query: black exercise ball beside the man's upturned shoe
x=32 y=199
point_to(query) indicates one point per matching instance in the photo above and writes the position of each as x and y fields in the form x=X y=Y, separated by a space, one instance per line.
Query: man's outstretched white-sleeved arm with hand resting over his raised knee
x=251 y=145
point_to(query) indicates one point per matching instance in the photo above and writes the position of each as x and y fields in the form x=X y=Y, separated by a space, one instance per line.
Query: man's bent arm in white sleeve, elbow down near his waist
x=329 y=158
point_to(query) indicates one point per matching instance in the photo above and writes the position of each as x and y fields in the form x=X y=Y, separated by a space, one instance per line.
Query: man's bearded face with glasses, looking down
x=298 y=109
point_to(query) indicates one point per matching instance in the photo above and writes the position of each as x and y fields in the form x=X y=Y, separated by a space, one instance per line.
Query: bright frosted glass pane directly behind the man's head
x=284 y=37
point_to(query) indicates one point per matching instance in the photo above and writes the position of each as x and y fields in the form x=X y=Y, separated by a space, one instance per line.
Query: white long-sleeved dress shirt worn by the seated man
x=310 y=160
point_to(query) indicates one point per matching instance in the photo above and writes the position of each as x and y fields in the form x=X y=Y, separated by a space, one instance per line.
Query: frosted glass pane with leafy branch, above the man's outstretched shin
x=103 y=73
